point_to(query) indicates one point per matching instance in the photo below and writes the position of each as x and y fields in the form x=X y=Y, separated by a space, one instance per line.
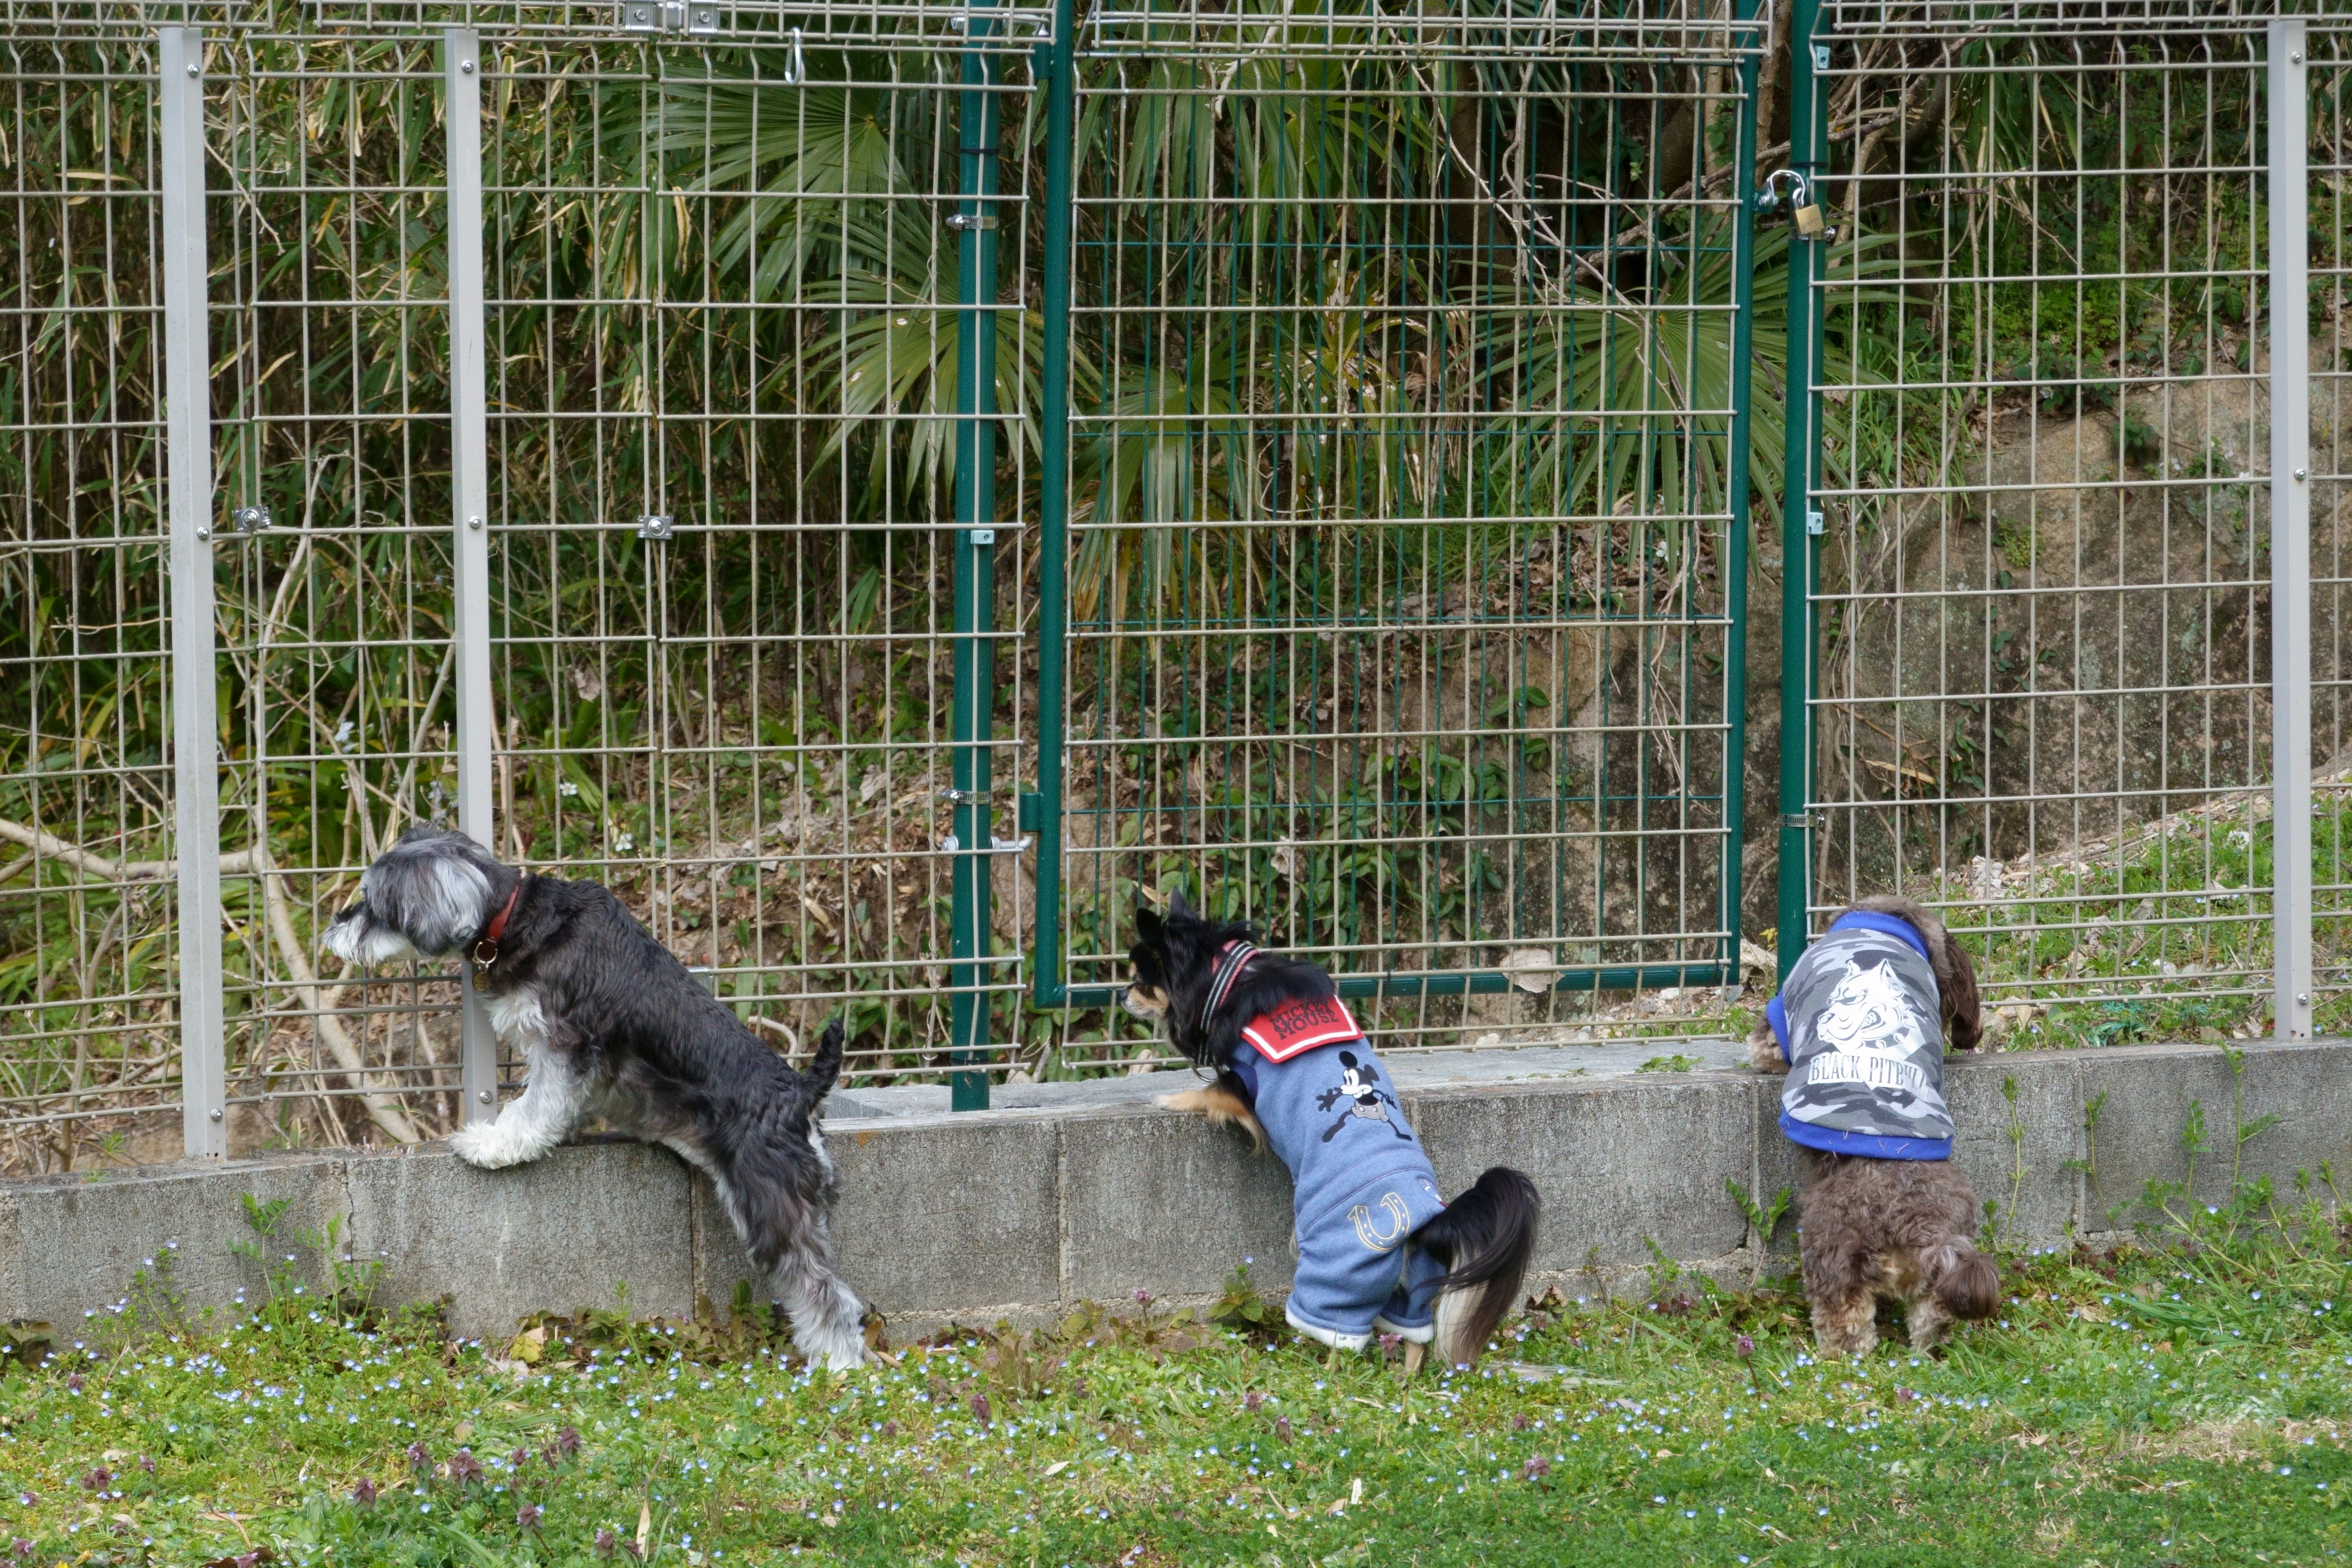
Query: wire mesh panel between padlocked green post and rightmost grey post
x=2045 y=563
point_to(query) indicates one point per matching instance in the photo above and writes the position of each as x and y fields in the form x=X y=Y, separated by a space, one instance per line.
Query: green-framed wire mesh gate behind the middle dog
x=1403 y=518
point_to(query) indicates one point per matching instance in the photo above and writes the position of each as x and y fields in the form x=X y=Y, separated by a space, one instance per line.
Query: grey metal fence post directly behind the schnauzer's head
x=469 y=528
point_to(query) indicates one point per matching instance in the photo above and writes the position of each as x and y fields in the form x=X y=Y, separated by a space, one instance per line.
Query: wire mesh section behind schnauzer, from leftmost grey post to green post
x=723 y=328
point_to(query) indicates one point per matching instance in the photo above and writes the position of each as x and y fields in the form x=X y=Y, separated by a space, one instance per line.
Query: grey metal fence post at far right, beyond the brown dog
x=2290 y=530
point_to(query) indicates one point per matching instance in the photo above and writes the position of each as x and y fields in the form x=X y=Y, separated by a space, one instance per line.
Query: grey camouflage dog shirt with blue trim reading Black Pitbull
x=1862 y=1026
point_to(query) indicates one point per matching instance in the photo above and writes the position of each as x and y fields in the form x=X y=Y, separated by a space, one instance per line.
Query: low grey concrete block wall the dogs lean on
x=1024 y=1214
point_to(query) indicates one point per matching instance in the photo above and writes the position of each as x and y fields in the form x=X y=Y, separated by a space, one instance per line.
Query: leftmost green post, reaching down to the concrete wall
x=975 y=565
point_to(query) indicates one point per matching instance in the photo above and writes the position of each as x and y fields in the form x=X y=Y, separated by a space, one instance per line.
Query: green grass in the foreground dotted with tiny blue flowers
x=2167 y=1405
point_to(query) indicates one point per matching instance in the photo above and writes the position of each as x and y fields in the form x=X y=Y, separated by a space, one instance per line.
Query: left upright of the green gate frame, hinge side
x=1043 y=812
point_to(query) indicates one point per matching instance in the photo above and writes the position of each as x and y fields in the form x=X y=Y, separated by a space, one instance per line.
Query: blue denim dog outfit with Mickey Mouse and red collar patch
x=1361 y=1181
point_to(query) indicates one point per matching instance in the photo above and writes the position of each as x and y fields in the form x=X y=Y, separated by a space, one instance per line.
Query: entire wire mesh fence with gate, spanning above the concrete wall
x=1309 y=455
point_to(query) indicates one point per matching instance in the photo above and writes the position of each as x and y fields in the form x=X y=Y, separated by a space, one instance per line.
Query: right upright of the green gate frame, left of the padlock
x=1737 y=471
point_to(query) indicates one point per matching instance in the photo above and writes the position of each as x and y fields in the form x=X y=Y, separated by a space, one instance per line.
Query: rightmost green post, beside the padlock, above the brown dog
x=1800 y=568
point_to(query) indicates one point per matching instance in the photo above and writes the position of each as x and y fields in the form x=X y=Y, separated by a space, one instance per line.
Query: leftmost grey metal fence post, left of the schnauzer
x=196 y=751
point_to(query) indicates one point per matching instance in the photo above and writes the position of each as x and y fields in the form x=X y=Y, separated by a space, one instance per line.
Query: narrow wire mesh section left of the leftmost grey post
x=86 y=840
